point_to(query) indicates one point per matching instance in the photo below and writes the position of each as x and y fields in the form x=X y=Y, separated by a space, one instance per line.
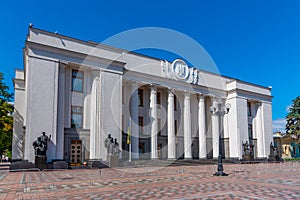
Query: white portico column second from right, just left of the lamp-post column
x=202 y=128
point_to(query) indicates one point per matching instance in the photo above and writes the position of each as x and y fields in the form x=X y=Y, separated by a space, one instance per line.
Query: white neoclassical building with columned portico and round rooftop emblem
x=79 y=92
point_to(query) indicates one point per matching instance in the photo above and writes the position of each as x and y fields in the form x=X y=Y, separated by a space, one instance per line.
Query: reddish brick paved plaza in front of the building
x=245 y=181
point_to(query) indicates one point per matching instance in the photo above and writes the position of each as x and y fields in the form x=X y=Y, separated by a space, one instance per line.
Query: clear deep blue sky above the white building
x=252 y=40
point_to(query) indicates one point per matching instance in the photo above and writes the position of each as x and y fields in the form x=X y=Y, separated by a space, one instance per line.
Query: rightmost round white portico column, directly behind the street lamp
x=215 y=128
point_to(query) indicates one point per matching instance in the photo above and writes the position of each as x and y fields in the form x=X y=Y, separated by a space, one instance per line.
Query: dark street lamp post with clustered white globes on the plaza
x=220 y=111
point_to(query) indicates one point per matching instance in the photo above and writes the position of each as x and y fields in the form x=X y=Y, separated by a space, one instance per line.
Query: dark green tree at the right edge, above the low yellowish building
x=293 y=119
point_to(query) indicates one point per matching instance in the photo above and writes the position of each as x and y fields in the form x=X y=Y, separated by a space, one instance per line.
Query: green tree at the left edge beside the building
x=6 y=117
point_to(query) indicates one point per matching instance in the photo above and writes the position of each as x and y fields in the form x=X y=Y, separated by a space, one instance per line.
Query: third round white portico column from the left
x=171 y=127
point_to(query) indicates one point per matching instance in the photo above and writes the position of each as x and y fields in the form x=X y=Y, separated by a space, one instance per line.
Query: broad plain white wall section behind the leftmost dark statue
x=41 y=111
